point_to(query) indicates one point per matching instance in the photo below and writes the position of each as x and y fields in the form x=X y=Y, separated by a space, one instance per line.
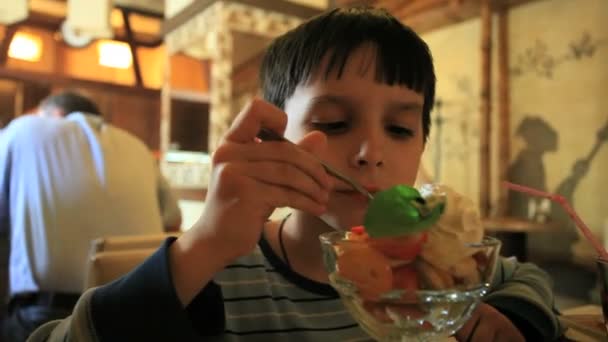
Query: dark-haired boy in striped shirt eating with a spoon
x=357 y=87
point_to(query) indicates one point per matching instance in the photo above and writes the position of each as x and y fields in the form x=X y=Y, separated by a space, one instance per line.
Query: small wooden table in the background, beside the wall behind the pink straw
x=513 y=232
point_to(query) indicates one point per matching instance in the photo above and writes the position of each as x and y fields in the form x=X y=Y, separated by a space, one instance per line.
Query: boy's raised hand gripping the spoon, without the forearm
x=250 y=179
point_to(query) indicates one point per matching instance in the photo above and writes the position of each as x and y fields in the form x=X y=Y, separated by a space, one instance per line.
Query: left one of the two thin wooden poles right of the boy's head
x=485 y=120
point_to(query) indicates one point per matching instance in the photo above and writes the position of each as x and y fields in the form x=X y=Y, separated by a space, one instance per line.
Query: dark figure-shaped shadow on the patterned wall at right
x=528 y=169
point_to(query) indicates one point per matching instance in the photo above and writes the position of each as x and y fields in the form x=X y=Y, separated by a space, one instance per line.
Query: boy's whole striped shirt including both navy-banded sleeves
x=143 y=306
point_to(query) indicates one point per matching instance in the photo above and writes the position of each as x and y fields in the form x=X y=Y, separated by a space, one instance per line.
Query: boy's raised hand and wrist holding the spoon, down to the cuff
x=249 y=180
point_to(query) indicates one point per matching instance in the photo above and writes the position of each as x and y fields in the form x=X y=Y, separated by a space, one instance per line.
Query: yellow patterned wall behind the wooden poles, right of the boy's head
x=559 y=112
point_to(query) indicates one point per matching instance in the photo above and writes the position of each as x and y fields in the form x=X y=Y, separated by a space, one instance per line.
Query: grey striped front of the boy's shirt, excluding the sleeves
x=264 y=300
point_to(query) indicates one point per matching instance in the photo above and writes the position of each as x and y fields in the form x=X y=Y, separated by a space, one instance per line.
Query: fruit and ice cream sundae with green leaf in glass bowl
x=418 y=274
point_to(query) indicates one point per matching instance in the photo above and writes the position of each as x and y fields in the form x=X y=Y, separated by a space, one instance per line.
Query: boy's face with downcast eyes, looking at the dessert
x=374 y=131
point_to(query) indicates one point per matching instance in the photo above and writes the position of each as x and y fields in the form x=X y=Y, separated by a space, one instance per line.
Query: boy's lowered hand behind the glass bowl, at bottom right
x=488 y=324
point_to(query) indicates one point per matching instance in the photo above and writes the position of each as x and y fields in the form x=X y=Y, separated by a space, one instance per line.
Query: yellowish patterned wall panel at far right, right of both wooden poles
x=559 y=108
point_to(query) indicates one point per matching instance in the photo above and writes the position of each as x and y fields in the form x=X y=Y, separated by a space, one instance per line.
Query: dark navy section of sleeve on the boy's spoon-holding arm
x=143 y=306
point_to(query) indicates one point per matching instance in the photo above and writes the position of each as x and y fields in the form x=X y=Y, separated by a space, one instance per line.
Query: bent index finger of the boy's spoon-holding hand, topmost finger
x=252 y=118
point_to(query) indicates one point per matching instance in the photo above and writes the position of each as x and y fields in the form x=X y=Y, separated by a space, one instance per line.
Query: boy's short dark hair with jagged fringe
x=403 y=58
